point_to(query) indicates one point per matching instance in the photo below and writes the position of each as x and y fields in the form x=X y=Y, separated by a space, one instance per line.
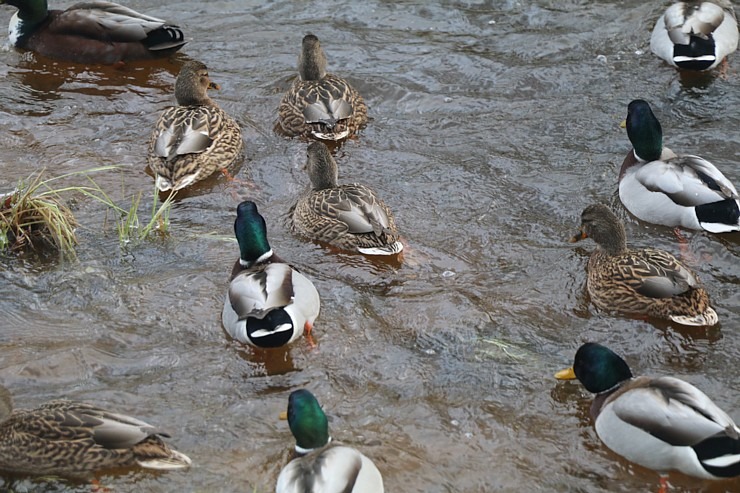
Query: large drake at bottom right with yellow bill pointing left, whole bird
x=660 y=423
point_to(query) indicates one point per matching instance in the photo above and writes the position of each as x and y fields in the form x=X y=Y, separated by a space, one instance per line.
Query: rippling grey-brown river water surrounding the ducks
x=493 y=125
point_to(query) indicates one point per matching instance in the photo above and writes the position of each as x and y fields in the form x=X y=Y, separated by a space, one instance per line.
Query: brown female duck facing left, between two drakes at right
x=641 y=282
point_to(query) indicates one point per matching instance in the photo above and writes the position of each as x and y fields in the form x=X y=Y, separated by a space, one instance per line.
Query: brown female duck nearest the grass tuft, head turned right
x=195 y=138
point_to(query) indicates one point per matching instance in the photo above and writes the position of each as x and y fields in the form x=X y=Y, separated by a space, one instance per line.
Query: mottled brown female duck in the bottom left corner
x=68 y=438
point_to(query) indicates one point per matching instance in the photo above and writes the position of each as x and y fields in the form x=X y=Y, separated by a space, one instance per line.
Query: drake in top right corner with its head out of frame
x=695 y=35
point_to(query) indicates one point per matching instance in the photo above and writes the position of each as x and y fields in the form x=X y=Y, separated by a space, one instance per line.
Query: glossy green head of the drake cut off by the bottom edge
x=307 y=421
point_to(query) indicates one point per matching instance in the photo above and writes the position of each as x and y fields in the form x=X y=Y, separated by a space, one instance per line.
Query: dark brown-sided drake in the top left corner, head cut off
x=91 y=32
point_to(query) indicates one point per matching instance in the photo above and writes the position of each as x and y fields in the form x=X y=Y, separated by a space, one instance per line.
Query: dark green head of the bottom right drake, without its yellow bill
x=599 y=368
